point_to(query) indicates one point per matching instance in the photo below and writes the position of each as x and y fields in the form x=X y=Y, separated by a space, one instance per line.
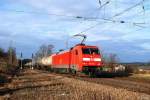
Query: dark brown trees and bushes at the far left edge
x=8 y=65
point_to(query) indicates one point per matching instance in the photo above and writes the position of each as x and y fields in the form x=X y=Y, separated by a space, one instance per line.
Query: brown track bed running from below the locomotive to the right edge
x=125 y=83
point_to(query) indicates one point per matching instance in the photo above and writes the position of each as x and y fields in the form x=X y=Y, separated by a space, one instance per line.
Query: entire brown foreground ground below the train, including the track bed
x=40 y=85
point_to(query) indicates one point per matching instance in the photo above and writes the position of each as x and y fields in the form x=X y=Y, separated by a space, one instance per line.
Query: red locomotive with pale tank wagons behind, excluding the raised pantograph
x=80 y=58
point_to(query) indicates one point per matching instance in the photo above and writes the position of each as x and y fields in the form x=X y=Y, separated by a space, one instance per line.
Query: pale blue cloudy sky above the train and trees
x=27 y=24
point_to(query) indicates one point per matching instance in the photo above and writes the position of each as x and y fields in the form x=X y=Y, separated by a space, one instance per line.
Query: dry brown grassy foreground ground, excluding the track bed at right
x=42 y=86
